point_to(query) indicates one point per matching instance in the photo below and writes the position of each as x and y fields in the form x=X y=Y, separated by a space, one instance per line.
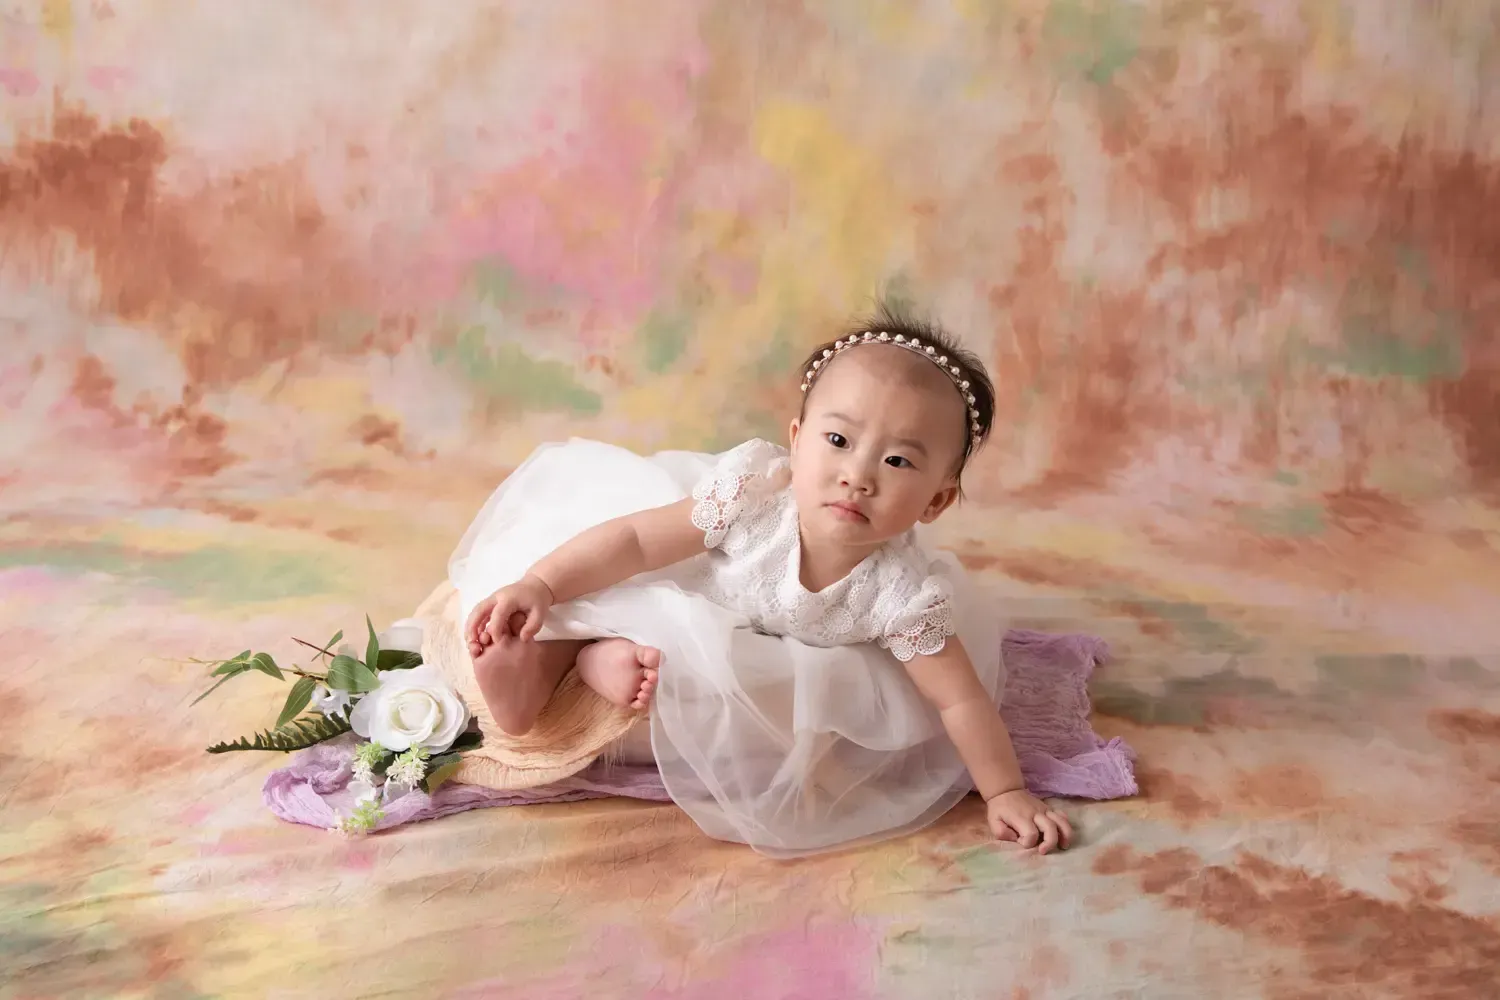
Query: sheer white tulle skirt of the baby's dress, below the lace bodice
x=763 y=740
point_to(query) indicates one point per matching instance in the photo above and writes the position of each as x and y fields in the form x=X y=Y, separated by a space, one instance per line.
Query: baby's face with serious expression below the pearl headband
x=877 y=448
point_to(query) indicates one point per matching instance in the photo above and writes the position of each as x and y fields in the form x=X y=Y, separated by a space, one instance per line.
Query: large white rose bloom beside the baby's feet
x=412 y=708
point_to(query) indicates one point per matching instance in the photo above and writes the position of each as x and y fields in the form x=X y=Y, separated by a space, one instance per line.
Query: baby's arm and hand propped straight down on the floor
x=974 y=725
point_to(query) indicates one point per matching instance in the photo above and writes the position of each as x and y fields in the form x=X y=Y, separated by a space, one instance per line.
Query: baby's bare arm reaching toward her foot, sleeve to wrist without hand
x=620 y=549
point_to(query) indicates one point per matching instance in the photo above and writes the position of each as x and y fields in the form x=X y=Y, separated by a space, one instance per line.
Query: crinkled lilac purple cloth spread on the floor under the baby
x=1046 y=707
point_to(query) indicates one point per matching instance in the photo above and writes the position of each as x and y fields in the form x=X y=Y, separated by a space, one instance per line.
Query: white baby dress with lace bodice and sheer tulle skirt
x=784 y=719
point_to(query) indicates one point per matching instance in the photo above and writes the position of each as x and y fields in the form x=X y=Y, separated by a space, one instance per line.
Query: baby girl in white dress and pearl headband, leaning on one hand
x=814 y=675
